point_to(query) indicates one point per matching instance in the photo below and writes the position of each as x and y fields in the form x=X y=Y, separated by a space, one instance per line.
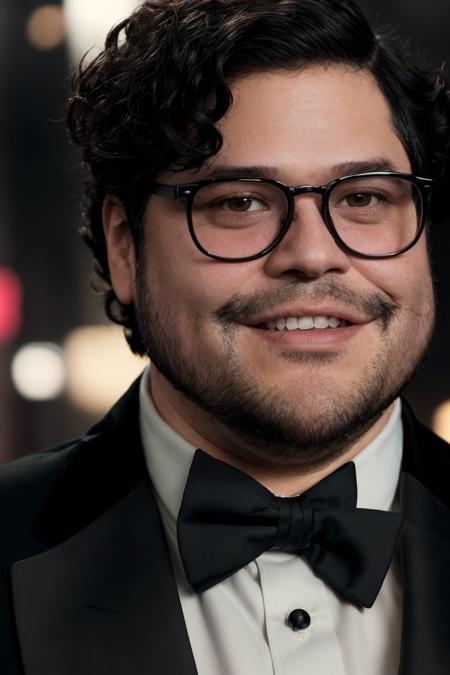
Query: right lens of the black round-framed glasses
x=376 y=215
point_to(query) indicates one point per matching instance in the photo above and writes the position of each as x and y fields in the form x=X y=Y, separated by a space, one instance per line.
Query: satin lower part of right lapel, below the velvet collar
x=425 y=564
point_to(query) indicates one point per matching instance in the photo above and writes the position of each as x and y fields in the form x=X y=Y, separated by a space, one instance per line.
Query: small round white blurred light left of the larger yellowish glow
x=38 y=371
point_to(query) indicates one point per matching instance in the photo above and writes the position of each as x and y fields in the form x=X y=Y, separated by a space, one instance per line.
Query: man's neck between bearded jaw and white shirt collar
x=203 y=432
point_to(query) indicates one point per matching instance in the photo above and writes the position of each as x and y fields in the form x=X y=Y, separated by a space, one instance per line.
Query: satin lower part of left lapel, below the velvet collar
x=104 y=601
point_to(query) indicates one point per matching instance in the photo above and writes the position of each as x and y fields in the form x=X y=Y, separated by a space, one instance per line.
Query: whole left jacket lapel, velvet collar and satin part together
x=103 y=598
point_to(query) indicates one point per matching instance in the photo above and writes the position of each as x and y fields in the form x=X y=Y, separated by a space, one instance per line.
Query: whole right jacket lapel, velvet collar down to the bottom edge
x=425 y=554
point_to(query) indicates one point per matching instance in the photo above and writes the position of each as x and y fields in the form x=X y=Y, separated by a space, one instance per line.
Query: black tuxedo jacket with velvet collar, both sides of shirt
x=87 y=586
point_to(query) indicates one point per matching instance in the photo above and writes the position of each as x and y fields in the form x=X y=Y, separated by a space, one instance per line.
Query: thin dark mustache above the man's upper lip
x=245 y=307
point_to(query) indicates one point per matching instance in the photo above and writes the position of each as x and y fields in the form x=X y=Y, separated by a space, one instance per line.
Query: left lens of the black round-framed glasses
x=238 y=219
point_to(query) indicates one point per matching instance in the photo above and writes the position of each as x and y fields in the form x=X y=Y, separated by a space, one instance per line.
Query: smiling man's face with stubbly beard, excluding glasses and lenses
x=299 y=396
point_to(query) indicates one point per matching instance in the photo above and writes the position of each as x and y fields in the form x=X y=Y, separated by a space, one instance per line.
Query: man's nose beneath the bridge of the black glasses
x=307 y=249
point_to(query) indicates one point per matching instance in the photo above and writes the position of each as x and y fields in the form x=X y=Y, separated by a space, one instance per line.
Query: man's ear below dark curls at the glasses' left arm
x=120 y=249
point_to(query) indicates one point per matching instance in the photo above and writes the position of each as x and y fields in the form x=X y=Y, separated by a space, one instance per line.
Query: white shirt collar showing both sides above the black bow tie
x=168 y=458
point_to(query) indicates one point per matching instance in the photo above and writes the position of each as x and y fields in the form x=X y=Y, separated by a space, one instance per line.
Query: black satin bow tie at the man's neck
x=227 y=519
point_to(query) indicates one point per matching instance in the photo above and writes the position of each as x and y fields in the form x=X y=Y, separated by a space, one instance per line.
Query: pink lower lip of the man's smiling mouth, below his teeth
x=313 y=339
